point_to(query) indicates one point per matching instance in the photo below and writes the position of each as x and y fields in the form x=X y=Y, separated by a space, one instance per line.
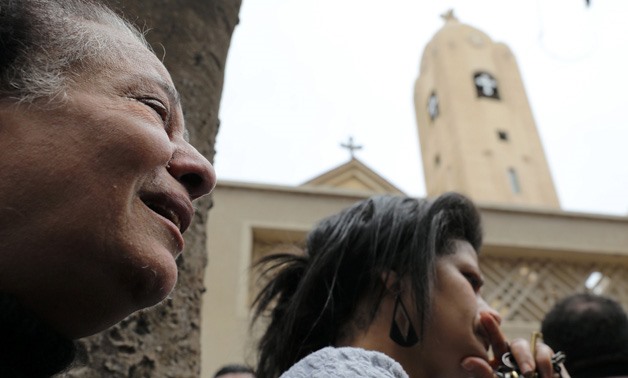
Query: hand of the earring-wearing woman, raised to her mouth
x=532 y=362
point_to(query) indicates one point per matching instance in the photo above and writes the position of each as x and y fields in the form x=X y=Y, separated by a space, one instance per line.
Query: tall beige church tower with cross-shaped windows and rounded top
x=476 y=128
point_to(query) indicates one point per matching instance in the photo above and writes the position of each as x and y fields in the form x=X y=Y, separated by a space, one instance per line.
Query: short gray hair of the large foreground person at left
x=46 y=44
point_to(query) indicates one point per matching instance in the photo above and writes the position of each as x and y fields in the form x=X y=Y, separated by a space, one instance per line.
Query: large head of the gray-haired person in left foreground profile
x=96 y=173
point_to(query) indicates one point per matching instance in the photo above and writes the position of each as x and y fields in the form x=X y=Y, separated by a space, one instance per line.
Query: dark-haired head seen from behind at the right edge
x=592 y=330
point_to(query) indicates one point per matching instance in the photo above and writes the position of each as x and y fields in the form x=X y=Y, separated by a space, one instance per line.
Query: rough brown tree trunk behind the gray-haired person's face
x=165 y=341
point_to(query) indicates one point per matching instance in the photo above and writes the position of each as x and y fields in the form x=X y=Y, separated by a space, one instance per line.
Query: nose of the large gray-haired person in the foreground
x=193 y=171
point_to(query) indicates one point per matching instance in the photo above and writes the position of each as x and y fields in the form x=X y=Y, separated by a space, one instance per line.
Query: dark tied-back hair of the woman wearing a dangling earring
x=312 y=298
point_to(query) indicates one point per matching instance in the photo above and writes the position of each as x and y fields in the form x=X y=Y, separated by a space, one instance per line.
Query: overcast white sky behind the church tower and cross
x=304 y=75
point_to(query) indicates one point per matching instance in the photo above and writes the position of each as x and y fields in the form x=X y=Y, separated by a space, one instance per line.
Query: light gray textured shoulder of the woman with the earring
x=346 y=362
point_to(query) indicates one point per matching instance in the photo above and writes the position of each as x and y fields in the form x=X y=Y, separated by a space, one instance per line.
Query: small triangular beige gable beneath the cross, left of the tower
x=353 y=175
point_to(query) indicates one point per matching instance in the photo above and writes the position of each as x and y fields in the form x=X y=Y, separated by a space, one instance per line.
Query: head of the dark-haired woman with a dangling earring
x=359 y=264
